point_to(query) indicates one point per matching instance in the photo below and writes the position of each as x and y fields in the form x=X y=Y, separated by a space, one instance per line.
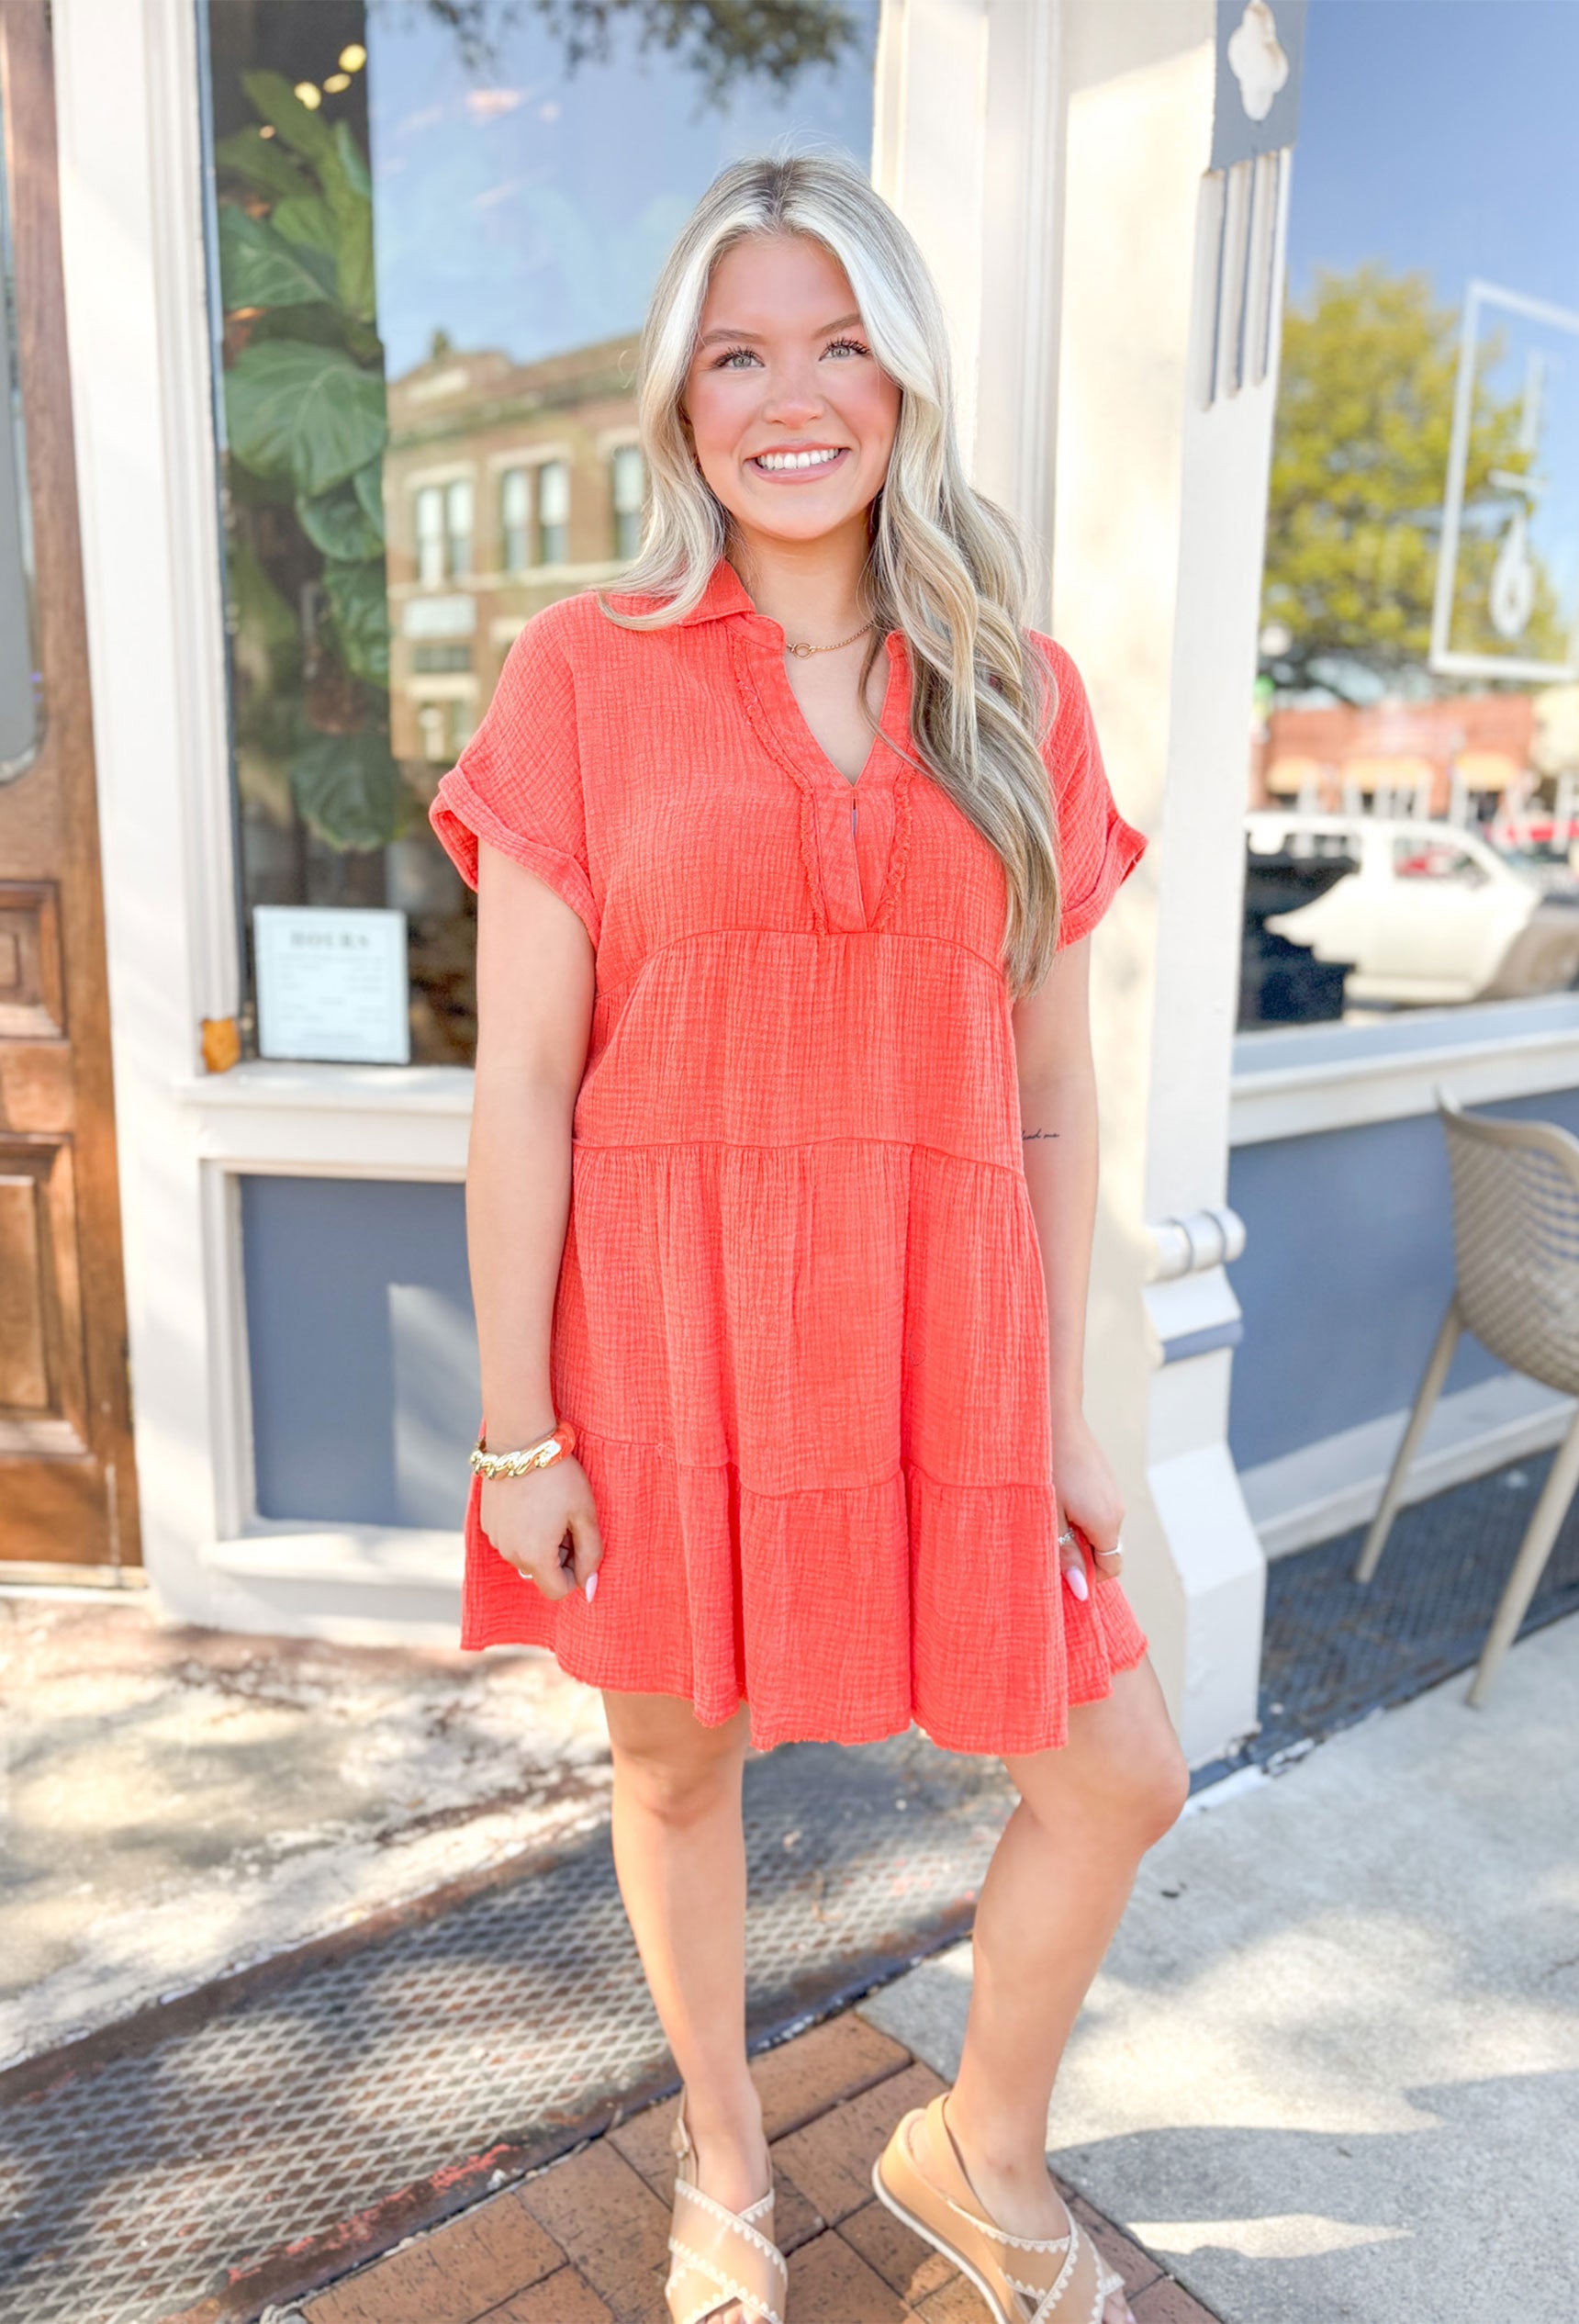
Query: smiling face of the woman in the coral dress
x=791 y=413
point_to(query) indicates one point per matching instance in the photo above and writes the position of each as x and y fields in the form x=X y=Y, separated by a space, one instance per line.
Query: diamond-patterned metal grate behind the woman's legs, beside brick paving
x=377 y=2090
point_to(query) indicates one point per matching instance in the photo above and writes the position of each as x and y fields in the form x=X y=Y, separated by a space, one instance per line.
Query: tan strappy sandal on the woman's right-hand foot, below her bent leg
x=1023 y=2279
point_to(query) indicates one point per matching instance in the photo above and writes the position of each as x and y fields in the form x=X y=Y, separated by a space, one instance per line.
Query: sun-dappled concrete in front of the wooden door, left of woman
x=178 y=1805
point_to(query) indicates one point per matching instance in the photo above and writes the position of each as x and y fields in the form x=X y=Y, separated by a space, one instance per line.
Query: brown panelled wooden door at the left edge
x=69 y=1491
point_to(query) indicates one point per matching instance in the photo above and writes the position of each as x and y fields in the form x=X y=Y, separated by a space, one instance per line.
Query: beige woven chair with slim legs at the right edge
x=1517 y=1289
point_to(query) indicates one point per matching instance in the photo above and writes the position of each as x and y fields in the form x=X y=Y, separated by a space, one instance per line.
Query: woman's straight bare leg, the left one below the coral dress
x=682 y=1858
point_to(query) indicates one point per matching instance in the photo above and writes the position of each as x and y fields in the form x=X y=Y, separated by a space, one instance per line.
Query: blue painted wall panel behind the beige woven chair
x=1348 y=1268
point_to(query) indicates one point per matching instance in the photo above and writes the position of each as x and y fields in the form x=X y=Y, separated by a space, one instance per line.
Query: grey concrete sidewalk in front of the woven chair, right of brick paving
x=1332 y=2065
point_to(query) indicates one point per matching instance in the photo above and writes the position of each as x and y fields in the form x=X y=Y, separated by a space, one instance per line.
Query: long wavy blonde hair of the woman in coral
x=946 y=566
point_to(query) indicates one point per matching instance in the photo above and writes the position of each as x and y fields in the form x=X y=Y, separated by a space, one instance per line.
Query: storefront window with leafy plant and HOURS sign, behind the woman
x=435 y=234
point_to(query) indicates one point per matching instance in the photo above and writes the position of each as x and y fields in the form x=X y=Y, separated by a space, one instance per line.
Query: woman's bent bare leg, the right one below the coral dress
x=1053 y=1898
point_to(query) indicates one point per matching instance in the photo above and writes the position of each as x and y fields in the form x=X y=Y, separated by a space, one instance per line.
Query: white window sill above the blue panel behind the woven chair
x=1483 y=1054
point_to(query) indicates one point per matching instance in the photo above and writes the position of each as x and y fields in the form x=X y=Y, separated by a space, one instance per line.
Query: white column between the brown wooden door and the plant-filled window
x=145 y=466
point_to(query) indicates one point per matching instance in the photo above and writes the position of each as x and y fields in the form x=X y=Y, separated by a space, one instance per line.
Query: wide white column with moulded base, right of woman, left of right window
x=1155 y=589
